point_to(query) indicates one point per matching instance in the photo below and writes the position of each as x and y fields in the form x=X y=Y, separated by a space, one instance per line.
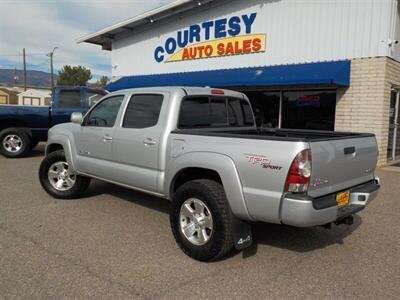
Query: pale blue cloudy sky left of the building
x=40 y=25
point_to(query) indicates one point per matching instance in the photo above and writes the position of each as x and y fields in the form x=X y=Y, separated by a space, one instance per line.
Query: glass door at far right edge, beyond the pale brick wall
x=394 y=126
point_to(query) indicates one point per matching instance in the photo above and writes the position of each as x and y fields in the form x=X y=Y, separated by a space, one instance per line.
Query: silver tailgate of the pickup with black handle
x=342 y=163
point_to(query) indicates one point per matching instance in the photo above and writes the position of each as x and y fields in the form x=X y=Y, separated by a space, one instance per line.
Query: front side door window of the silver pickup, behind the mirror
x=105 y=113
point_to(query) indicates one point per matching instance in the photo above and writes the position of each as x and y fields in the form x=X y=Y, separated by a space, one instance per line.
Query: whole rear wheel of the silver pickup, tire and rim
x=201 y=220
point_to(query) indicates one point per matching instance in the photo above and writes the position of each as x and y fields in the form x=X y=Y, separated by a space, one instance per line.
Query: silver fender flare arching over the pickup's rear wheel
x=220 y=163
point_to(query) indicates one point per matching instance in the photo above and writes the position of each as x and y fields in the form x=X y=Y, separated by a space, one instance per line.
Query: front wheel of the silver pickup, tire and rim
x=57 y=178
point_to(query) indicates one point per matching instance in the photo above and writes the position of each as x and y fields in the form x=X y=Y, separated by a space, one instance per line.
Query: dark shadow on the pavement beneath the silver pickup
x=274 y=235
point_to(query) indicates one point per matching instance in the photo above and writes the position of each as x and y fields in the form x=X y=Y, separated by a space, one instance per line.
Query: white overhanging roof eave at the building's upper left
x=103 y=36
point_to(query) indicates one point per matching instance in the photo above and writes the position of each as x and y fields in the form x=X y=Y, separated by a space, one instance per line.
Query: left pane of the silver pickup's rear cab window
x=195 y=112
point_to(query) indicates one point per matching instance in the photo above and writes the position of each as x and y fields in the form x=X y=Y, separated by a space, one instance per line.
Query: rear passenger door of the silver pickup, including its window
x=136 y=143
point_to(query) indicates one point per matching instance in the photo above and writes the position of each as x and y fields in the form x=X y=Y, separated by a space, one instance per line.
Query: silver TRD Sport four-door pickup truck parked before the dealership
x=200 y=148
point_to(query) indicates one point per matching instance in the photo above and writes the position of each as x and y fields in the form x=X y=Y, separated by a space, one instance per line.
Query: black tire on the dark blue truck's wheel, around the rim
x=23 y=137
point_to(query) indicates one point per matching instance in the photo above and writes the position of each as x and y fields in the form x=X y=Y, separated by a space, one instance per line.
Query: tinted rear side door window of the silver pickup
x=143 y=111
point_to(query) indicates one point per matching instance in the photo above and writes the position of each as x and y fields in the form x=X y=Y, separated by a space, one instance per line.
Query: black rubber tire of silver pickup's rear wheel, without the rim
x=213 y=195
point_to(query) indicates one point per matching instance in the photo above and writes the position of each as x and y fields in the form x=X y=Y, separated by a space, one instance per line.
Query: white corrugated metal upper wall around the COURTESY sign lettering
x=298 y=31
